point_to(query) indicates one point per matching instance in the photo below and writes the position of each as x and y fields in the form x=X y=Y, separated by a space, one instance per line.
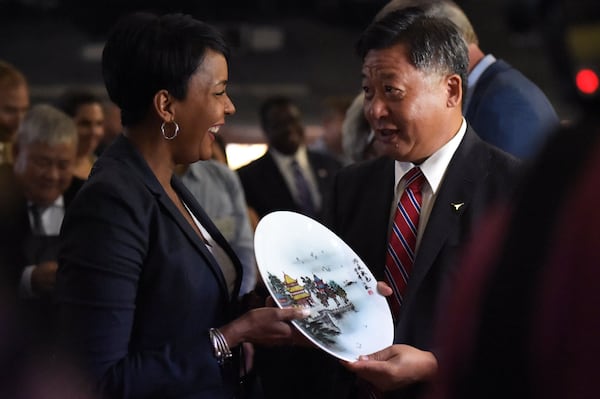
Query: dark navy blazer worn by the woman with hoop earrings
x=137 y=287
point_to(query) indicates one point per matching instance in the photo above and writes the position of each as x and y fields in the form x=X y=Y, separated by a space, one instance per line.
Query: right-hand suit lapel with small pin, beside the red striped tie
x=462 y=176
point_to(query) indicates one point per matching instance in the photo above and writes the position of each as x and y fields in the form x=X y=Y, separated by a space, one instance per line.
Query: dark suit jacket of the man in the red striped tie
x=478 y=175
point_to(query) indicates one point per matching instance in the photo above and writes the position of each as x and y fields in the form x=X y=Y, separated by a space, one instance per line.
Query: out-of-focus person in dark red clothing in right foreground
x=526 y=324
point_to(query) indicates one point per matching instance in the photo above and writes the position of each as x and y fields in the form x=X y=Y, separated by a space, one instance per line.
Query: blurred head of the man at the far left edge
x=14 y=103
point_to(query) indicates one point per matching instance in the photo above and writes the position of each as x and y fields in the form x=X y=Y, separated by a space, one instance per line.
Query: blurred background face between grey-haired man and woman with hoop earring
x=89 y=120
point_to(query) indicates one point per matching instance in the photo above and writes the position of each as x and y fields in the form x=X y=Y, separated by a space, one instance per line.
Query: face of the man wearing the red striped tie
x=407 y=108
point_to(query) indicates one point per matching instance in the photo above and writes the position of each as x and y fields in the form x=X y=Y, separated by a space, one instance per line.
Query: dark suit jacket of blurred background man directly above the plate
x=265 y=187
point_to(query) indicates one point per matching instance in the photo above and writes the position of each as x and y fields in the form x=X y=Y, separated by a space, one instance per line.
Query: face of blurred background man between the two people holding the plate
x=284 y=129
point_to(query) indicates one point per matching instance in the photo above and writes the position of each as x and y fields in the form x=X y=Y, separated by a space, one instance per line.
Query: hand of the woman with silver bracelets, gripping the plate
x=264 y=326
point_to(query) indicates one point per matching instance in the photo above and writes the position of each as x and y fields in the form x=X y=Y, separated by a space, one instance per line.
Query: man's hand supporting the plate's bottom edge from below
x=395 y=367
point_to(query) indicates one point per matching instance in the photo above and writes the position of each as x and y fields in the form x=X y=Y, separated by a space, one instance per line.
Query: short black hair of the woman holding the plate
x=145 y=53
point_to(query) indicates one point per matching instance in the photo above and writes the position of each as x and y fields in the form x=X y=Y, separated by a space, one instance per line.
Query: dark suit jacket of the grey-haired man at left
x=19 y=248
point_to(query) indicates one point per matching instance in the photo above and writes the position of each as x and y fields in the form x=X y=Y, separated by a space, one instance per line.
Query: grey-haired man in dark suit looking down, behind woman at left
x=33 y=198
